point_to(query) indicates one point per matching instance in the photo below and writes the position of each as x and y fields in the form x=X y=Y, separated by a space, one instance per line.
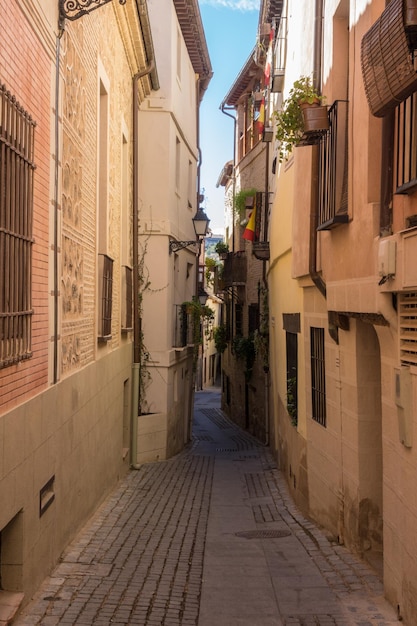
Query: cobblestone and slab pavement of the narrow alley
x=209 y=538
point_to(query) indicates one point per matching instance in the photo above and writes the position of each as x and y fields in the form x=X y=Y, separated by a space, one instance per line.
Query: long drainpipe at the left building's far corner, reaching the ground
x=137 y=320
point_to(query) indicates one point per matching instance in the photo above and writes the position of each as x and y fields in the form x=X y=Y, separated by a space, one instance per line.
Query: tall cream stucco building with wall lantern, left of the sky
x=169 y=198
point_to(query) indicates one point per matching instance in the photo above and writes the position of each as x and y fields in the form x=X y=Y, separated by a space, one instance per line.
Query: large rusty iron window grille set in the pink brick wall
x=17 y=130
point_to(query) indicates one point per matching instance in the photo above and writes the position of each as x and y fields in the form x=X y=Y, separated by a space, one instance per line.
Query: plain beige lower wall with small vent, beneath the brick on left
x=72 y=433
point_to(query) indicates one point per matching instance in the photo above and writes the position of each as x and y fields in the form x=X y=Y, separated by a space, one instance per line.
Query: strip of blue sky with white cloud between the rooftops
x=230 y=27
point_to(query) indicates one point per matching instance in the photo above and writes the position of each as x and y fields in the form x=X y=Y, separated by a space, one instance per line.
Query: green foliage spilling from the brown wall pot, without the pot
x=289 y=122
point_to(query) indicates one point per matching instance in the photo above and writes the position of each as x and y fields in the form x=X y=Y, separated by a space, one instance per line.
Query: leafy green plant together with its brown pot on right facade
x=302 y=112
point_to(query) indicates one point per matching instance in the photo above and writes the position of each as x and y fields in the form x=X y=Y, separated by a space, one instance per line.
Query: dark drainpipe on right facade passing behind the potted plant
x=317 y=64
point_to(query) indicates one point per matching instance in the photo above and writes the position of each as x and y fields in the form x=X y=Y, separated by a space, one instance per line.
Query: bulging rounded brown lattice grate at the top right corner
x=387 y=66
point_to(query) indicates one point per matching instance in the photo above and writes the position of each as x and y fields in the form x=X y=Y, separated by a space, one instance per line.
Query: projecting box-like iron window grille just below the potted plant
x=333 y=169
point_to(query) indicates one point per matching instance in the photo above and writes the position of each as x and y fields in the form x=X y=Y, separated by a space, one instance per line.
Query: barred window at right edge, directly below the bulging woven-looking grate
x=406 y=145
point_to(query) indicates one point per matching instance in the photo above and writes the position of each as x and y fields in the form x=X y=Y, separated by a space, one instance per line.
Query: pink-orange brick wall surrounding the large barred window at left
x=26 y=71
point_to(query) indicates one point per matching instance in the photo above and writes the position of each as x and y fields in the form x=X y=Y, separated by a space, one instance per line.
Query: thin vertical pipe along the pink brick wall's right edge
x=56 y=188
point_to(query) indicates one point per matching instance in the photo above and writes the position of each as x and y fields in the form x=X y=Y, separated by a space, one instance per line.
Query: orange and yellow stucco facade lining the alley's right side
x=341 y=278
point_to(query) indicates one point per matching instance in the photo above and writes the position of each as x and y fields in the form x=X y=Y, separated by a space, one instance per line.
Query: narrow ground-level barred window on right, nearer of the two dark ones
x=318 y=375
